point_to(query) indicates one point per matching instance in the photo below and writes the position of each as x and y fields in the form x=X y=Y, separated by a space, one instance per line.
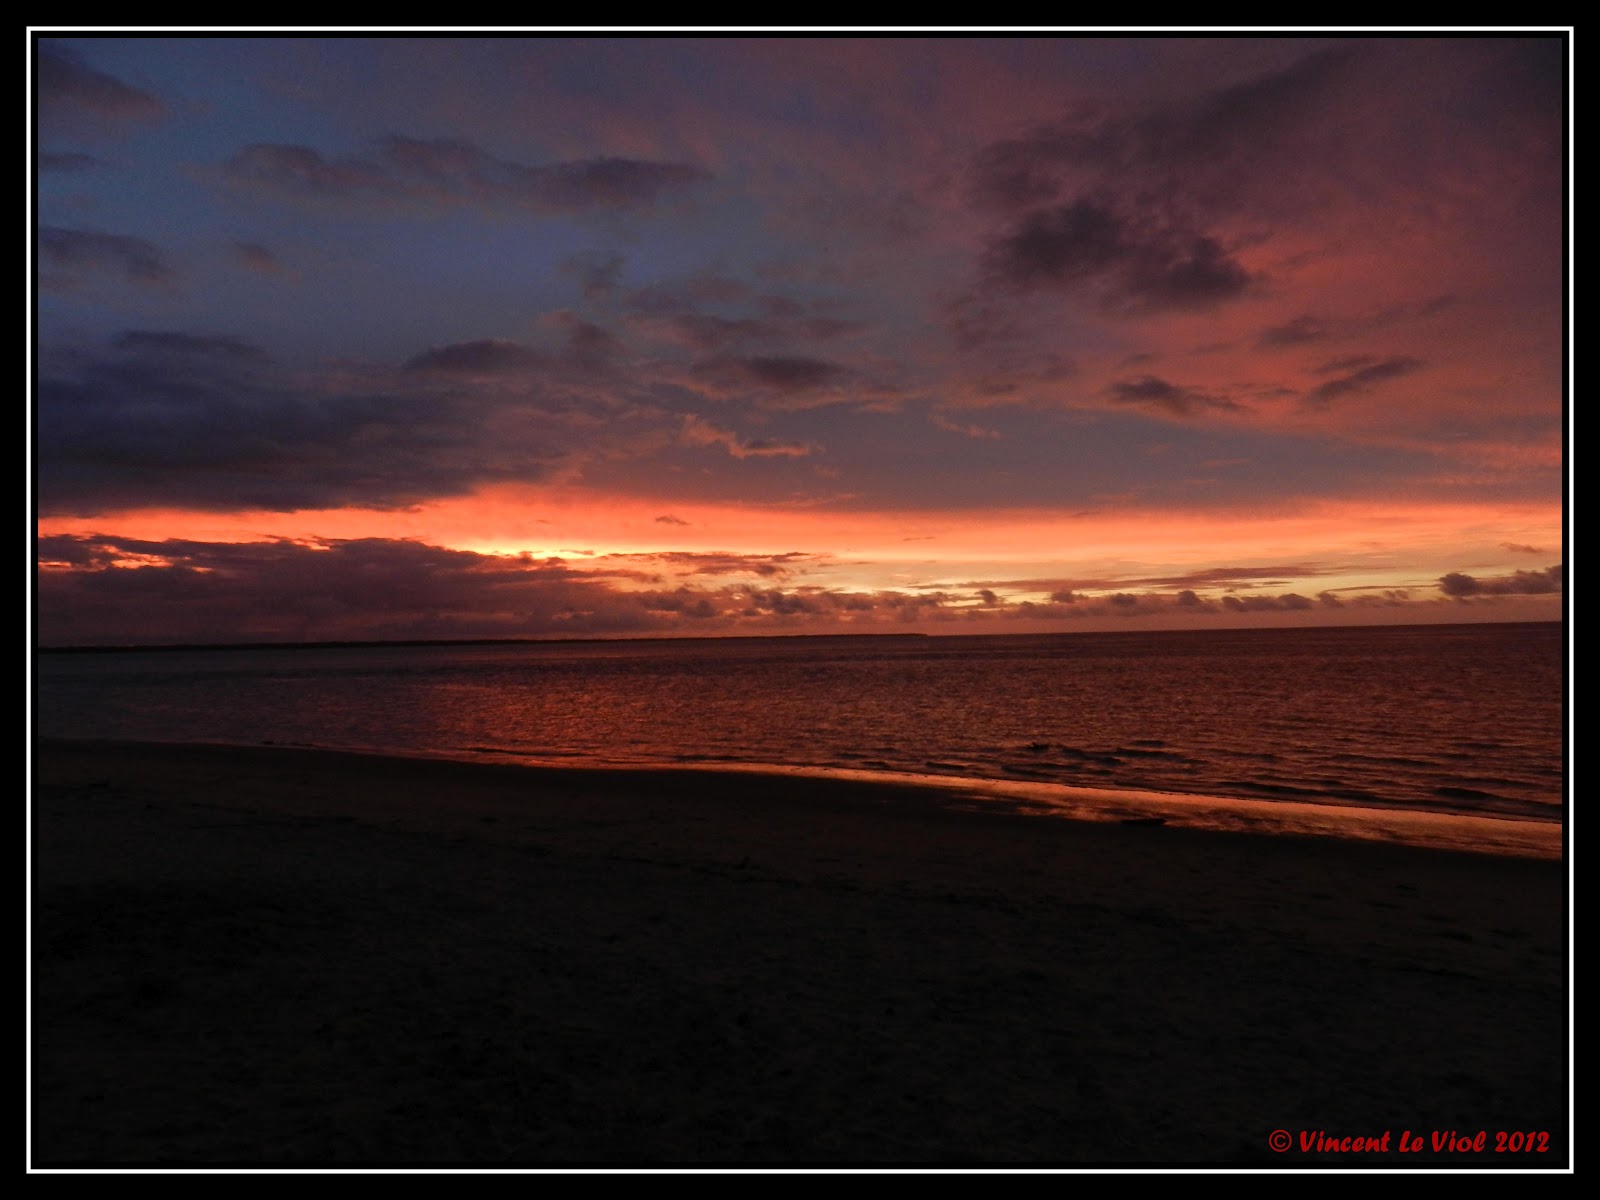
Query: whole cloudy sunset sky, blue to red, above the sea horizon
x=553 y=337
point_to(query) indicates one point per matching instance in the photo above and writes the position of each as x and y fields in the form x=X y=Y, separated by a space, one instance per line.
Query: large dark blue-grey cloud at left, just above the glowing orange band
x=170 y=420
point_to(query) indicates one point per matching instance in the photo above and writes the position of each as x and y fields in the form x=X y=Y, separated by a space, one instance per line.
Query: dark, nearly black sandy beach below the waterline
x=300 y=959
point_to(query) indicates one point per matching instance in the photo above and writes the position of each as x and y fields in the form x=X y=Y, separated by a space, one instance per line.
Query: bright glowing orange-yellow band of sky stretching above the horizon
x=1366 y=543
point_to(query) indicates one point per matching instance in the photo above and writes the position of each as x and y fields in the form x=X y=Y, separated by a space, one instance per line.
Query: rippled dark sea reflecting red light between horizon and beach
x=1281 y=730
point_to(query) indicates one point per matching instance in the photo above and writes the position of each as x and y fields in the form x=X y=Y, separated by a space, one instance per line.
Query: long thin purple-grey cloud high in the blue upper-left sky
x=458 y=172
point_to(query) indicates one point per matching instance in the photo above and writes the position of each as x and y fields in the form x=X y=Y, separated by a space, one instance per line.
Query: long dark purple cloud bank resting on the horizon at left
x=118 y=591
